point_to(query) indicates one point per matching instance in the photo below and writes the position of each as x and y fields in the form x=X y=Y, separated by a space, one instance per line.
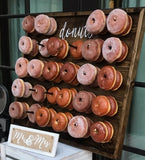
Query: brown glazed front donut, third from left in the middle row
x=50 y=70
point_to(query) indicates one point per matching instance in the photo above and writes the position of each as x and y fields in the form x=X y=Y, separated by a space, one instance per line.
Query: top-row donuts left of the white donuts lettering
x=43 y=24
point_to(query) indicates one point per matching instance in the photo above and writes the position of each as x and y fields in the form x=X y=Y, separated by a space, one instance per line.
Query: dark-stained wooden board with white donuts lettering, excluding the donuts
x=71 y=27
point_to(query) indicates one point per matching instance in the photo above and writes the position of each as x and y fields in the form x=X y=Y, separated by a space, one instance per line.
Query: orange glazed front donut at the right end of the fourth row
x=100 y=105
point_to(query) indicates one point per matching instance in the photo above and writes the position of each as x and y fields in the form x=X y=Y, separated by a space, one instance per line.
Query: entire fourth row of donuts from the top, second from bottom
x=82 y=101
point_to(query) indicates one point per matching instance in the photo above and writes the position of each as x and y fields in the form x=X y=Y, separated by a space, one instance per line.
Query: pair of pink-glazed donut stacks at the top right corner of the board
x=118 y=22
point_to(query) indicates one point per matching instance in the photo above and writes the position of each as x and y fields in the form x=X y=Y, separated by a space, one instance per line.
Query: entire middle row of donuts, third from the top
x=107 y=78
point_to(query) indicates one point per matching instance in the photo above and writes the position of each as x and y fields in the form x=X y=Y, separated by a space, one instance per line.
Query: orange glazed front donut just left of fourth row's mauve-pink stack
x=63 y=98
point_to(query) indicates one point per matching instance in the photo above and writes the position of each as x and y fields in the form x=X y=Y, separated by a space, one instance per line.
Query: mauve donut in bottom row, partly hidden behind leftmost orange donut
x=32 y=112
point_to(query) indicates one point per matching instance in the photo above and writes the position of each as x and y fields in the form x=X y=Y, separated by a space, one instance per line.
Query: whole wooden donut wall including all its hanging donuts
x=89 y=106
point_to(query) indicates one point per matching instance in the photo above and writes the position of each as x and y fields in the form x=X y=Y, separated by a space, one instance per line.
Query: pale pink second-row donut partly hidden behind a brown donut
x=43 y=48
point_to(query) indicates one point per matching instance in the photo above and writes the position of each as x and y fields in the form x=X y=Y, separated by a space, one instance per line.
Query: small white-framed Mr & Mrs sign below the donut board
x=33 y=140
